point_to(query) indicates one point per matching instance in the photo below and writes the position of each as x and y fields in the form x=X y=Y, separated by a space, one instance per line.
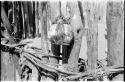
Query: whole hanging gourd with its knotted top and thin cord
x=60 y=31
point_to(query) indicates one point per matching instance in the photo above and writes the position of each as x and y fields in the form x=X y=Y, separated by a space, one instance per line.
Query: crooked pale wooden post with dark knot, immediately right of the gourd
x=78 y=30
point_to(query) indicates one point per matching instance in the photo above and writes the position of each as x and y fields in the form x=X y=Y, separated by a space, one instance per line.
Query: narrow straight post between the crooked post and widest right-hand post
x=92 y=35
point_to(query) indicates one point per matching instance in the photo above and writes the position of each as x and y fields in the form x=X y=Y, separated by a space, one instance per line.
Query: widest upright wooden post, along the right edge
x=115 y=33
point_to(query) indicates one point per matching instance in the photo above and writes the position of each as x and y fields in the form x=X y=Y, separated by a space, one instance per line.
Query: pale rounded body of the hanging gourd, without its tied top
x=60 y=34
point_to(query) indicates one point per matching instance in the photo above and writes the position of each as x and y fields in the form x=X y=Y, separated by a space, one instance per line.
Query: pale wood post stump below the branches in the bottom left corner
x=7 y=67
